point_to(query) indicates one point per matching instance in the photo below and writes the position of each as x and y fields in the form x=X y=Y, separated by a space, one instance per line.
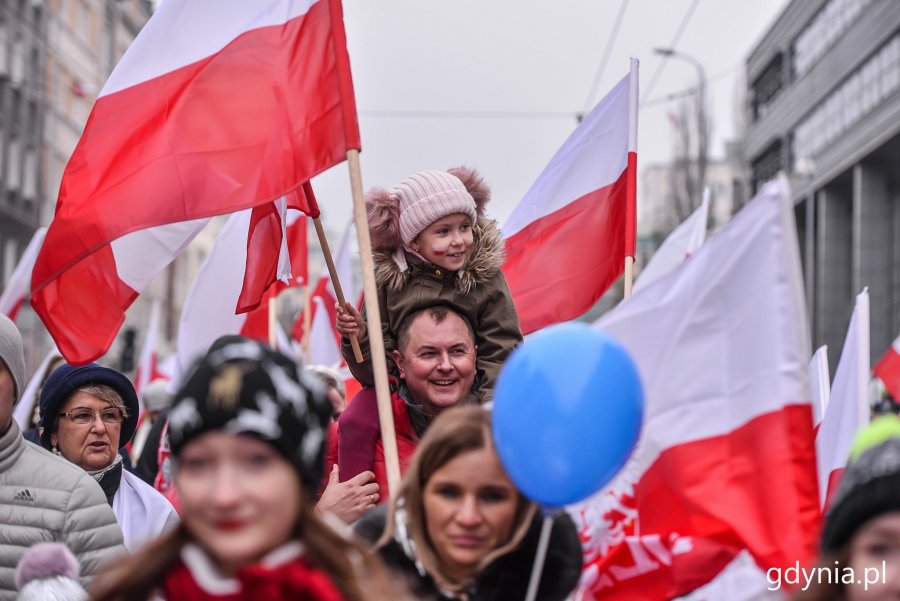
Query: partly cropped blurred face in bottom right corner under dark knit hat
x=875 y=559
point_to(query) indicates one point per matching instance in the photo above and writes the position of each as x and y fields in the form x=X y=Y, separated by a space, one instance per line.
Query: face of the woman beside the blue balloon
x=470 y=508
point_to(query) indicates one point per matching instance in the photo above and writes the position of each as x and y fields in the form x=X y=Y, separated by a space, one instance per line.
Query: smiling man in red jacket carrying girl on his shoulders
x=435 y=356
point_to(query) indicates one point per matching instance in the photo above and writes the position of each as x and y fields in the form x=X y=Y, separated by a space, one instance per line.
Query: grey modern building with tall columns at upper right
x=824 y=107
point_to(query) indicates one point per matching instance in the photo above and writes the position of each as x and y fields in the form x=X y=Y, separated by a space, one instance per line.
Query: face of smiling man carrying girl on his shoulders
x=438 y=363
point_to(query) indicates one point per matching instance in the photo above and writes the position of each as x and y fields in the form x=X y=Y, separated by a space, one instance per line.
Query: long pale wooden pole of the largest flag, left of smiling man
x=373 y=316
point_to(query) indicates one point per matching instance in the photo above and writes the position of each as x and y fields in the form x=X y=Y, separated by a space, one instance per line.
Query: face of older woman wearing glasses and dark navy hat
x=93 y=444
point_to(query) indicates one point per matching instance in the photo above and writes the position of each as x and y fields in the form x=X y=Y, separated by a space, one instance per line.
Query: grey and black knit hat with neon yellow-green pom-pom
x=869 y=486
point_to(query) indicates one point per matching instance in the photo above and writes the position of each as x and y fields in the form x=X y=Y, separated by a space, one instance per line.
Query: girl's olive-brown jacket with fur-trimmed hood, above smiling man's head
x=478 y=291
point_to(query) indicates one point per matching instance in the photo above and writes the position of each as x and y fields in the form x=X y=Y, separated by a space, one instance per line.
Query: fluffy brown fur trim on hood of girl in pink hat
x=485 y=260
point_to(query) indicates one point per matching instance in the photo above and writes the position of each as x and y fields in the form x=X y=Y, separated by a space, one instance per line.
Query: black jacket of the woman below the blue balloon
x=505 y=578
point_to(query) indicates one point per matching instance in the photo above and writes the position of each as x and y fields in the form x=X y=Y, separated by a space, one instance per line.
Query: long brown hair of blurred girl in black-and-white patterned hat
x=354 y=570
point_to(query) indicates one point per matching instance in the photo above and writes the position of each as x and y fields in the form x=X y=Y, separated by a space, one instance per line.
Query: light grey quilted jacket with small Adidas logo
x=44 y=498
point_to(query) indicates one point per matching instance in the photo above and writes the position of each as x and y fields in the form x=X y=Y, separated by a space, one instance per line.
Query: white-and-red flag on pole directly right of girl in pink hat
x=567 y=239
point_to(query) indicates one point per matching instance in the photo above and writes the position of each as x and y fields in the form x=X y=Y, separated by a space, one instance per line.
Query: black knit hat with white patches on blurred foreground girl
x=243 y=387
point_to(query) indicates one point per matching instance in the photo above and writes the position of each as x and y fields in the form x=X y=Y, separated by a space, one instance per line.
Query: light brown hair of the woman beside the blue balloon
x=455 y=431
